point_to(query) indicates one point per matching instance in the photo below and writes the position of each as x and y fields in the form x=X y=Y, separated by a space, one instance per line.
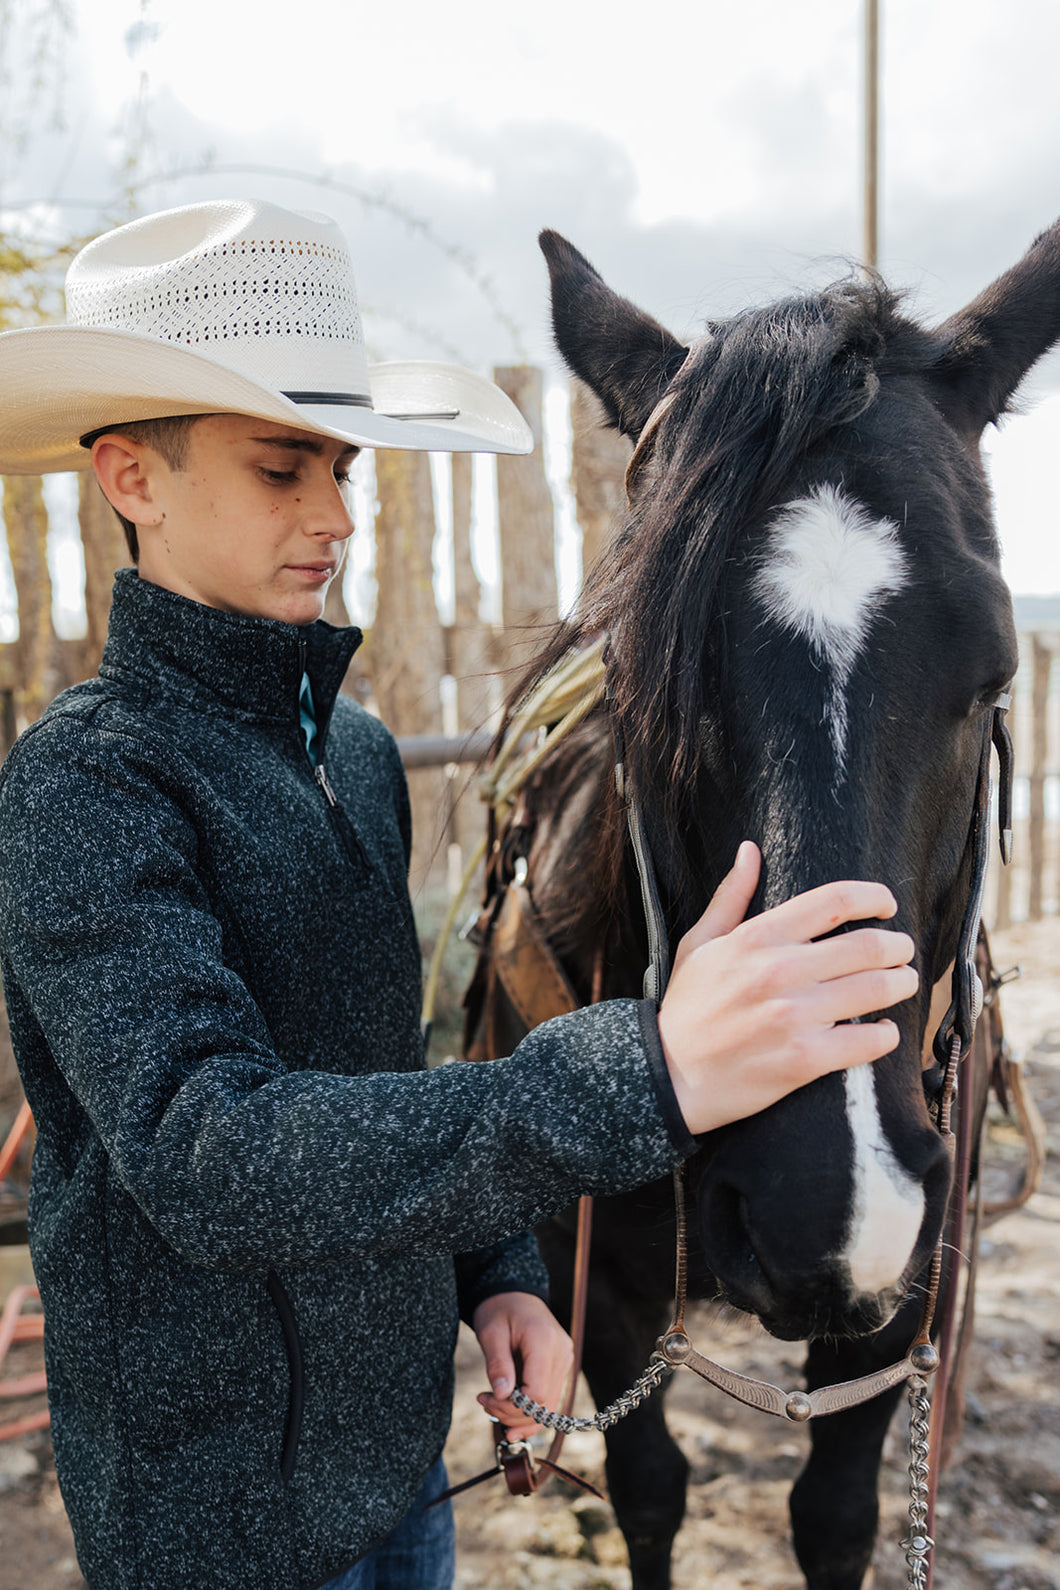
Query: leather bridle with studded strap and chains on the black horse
x=951 y=1045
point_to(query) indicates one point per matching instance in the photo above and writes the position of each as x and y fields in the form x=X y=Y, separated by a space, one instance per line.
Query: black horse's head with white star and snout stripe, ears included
x=808 y=632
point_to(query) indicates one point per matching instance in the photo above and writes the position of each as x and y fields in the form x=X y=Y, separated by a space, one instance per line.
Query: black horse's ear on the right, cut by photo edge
x=992 y=344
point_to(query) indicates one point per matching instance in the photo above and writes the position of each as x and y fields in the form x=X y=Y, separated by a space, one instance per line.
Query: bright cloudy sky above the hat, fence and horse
x=703 y=158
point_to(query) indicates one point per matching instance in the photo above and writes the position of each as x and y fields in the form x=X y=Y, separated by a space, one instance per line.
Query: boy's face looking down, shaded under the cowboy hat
x=255 y=524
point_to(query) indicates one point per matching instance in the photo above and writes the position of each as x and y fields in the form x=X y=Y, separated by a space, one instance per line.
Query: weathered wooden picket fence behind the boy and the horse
x=431 y=680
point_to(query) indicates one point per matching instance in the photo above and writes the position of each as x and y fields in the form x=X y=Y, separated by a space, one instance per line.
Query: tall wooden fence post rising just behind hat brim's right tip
x=528 y=529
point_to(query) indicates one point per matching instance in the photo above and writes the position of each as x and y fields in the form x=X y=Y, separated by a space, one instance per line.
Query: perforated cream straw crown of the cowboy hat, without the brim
x=263 y=290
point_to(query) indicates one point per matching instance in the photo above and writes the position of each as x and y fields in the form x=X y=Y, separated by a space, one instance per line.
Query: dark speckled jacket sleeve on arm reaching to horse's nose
x=117 y=958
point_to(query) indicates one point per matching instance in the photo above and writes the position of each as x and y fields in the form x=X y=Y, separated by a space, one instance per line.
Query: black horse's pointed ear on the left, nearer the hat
x=621 y=352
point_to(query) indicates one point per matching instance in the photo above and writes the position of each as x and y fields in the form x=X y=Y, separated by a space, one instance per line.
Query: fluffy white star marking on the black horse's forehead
x=827 y=567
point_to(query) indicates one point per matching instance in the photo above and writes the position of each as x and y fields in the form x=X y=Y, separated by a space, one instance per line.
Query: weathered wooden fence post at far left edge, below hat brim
x=26 y=524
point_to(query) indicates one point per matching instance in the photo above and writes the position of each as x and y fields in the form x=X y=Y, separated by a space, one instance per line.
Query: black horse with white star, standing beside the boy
x=807 y=630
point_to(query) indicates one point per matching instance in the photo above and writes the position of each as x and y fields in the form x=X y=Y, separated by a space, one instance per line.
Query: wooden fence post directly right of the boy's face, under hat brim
x=406 y=650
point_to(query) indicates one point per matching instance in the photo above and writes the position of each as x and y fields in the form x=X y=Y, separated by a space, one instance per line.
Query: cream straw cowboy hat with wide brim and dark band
x=228 y=308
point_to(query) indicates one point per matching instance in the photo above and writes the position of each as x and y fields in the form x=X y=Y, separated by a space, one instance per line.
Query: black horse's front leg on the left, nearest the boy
x=648 y=1473
